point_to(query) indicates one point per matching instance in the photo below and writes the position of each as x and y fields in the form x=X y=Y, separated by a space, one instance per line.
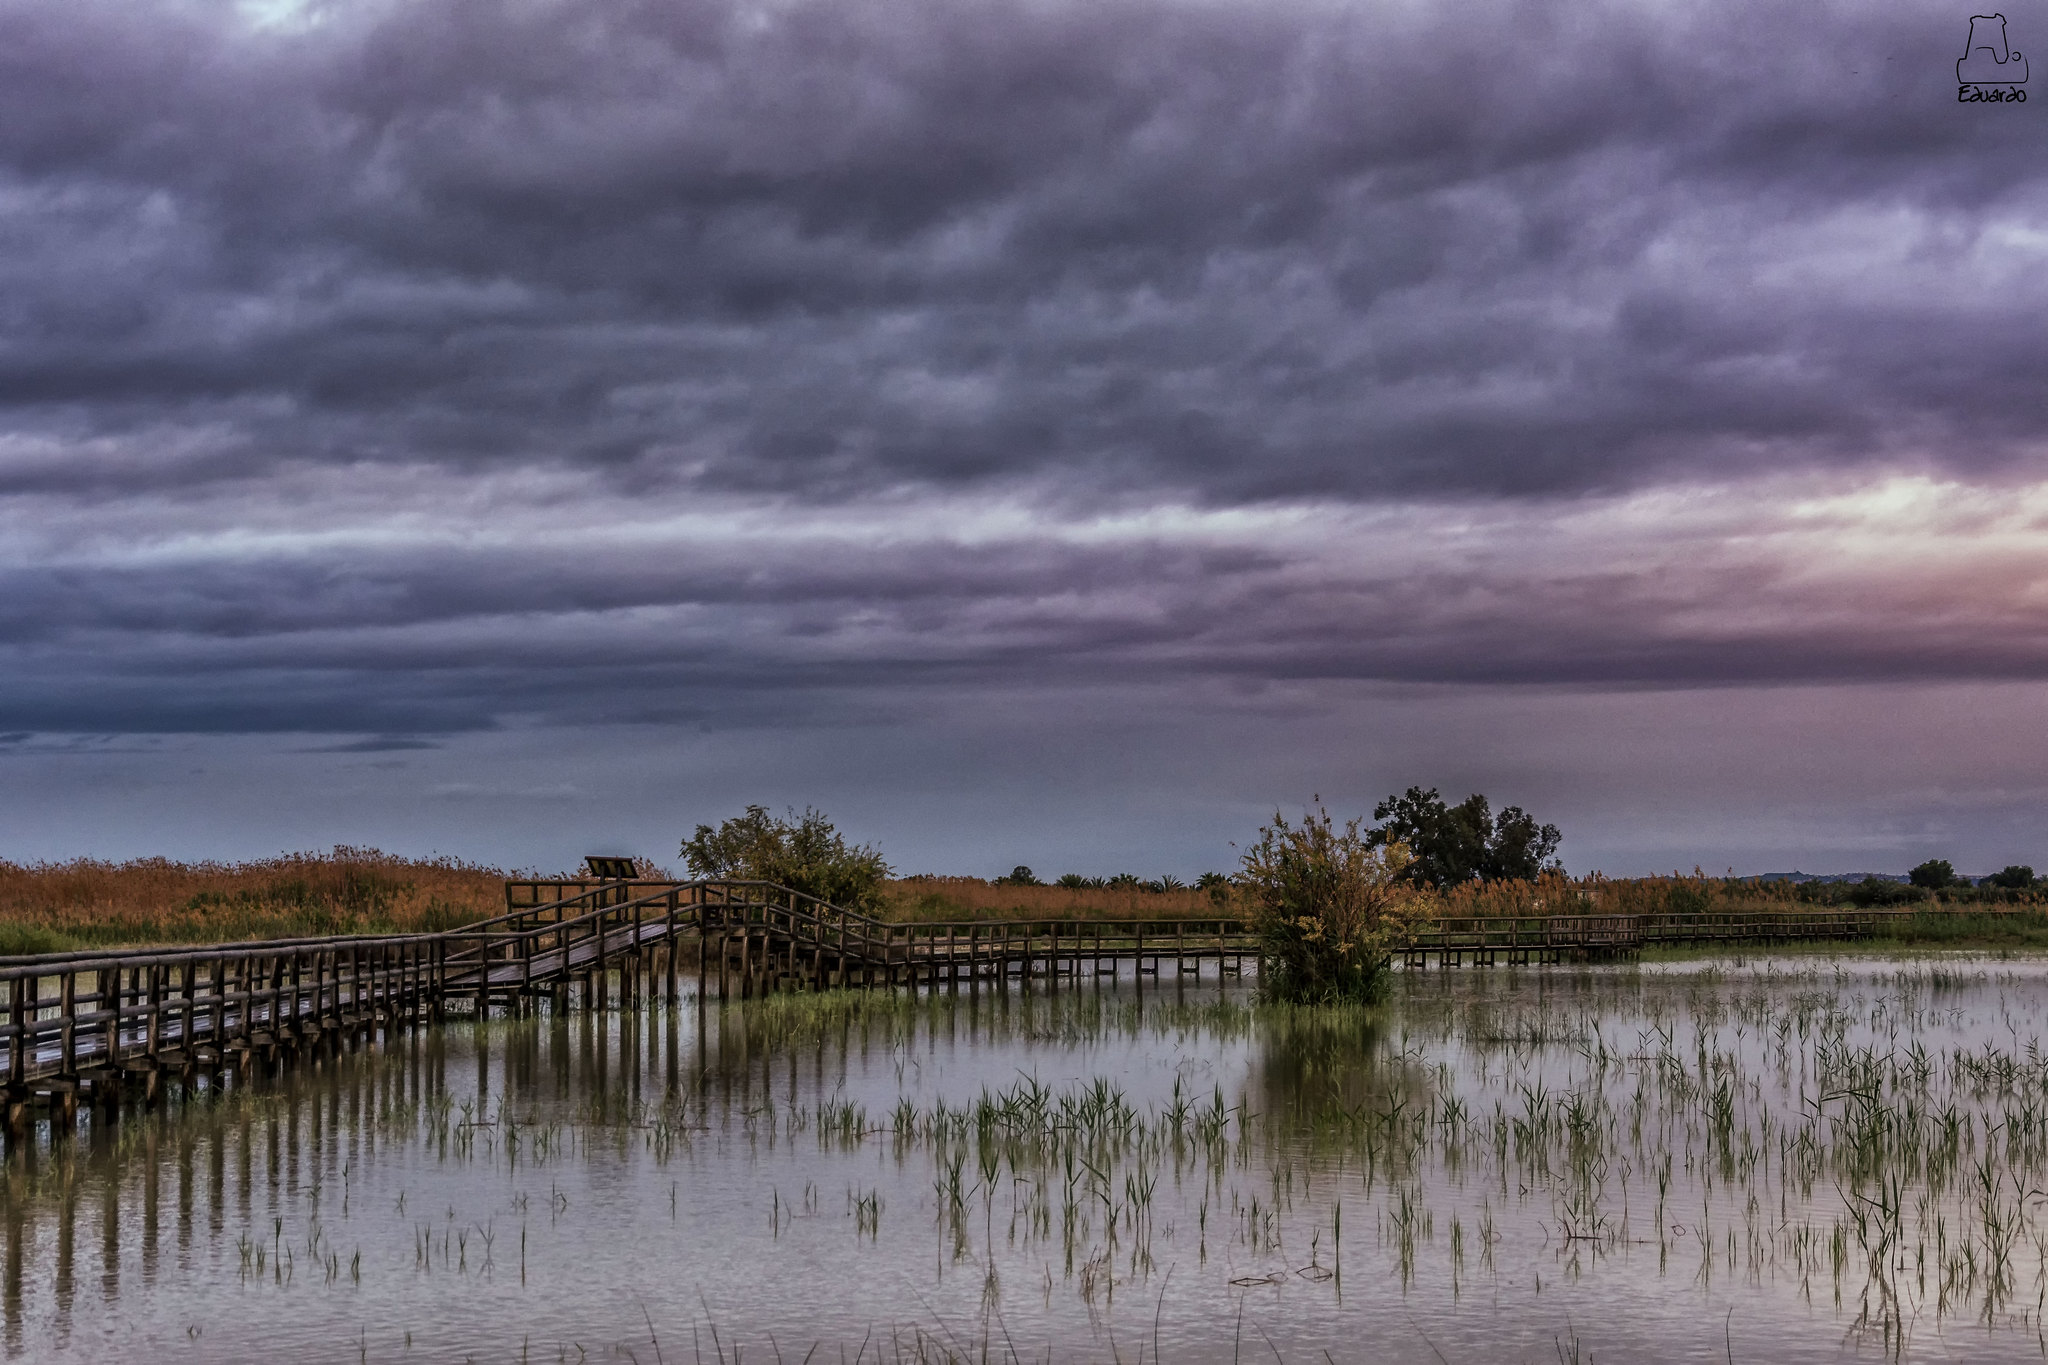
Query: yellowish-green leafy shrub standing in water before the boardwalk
x=1328 y=906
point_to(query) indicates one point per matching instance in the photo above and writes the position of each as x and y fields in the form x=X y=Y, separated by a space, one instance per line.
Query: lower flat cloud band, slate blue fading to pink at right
x=800 y=629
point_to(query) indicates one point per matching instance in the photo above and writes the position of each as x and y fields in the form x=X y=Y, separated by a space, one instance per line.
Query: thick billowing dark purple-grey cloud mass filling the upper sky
x=820 y=249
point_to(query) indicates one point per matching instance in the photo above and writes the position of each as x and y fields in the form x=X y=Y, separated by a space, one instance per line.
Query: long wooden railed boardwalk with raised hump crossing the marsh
x=99 y=1020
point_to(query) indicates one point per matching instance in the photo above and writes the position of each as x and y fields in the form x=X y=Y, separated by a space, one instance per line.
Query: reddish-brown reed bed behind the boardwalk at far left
x=89 y=904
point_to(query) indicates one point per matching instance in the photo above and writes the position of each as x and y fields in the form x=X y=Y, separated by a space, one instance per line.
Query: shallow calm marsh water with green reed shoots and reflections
x=1779 y=1159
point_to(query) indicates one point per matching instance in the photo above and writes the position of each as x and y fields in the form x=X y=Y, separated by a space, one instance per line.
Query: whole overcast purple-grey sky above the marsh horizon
x=1033 y=431
